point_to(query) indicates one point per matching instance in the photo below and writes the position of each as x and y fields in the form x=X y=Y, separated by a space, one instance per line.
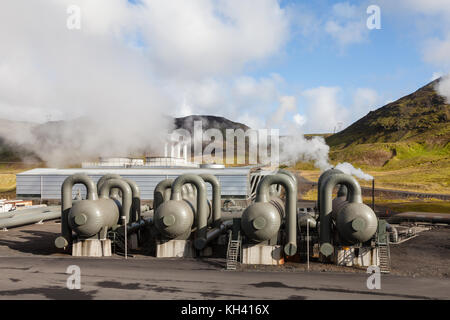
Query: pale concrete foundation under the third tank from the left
x=262 y=254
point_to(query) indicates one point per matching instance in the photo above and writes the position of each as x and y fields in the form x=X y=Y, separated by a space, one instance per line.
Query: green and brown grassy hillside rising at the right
x=404 y=145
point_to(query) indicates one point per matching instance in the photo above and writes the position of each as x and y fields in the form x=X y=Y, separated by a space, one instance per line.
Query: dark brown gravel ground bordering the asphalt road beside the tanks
x=427 y=255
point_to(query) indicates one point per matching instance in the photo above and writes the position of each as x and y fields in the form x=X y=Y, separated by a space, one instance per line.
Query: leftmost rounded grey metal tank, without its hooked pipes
x=88 y=217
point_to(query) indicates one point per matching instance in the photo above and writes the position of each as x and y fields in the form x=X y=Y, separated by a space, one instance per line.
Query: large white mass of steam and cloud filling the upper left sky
x=124 y=71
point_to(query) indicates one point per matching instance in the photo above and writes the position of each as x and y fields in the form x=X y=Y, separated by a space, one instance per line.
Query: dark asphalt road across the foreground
x=152 y=278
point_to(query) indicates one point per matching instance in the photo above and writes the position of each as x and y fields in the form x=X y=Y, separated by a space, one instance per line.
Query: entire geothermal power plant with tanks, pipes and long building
x=169 y=208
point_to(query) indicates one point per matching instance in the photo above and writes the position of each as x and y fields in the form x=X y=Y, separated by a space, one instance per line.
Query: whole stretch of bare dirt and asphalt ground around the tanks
x=32 y=268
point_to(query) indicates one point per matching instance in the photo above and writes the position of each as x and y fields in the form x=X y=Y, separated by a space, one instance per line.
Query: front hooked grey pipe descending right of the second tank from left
x=202 y=214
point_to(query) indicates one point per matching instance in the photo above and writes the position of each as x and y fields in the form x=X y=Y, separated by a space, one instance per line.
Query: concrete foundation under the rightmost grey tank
x=357 y=257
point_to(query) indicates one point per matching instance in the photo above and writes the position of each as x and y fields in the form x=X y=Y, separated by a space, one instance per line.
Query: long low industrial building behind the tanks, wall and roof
x=45 y=183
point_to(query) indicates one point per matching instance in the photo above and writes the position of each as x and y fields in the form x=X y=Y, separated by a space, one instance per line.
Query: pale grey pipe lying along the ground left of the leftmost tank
x=30 y=216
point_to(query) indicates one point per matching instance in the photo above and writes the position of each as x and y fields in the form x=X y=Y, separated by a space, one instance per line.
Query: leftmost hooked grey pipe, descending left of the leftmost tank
x=66 y=204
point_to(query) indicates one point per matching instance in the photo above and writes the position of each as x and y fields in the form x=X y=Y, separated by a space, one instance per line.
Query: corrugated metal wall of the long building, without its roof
x=49 y=186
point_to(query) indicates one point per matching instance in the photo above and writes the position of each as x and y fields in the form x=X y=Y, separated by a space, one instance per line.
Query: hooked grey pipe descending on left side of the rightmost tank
x=325 y=197
